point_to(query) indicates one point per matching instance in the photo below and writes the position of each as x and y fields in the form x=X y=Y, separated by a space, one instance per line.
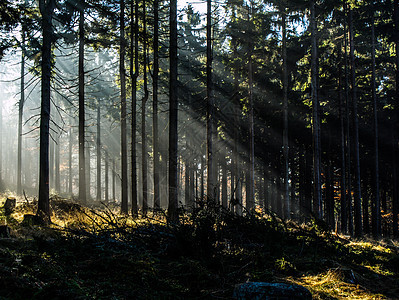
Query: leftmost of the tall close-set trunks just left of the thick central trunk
x=122 y=72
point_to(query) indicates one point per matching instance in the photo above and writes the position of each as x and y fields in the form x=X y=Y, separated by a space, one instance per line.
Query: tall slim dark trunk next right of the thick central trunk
x=209 y=104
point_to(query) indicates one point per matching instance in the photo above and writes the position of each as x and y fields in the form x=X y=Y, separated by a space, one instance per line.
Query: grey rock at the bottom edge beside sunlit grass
x=270 y=291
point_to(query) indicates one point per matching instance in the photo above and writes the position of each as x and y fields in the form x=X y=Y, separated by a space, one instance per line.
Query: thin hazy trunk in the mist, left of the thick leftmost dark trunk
x=20 y=114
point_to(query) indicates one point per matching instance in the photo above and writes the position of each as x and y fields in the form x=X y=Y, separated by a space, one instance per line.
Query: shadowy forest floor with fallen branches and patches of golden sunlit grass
x=89 y=253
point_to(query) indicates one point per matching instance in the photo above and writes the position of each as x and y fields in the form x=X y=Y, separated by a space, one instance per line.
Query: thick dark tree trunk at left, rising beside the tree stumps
x=47 y=11
